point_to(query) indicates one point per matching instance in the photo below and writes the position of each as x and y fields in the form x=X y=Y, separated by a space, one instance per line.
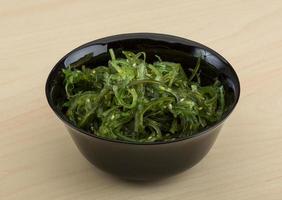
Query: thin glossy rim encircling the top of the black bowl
x=150 y=36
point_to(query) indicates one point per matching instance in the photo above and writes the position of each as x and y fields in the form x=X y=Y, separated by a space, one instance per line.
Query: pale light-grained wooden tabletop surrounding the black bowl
x=38 y=159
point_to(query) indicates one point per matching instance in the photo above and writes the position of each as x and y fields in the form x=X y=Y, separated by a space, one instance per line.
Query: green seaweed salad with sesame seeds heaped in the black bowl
x=132 y=100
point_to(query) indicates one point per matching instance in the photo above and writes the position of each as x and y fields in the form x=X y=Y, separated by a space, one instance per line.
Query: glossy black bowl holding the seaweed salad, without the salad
x=147 y=161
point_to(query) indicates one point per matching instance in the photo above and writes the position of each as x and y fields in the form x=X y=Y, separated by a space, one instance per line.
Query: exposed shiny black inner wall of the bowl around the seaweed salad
x=169 y=48
